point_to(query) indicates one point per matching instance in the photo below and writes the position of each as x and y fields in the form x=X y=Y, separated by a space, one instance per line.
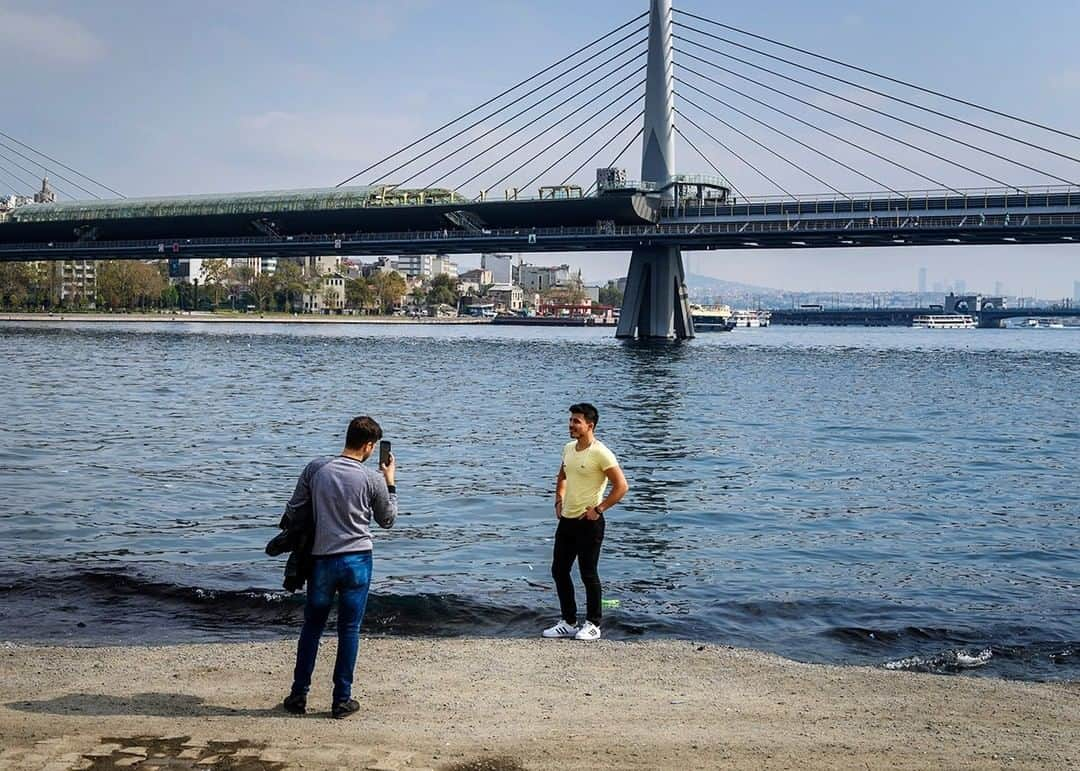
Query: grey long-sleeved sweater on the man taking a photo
x=345 y=496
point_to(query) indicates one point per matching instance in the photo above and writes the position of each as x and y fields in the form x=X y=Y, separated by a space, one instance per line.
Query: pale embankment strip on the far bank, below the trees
x=208 y=318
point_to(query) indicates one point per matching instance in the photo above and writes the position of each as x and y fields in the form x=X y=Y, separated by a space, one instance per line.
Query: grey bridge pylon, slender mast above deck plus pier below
x=656 y=304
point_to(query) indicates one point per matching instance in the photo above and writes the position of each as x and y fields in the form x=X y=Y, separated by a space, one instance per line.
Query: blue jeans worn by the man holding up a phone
x=350 y=577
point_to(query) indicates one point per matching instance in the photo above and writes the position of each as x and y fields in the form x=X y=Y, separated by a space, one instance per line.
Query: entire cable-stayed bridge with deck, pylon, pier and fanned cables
x=516 y=173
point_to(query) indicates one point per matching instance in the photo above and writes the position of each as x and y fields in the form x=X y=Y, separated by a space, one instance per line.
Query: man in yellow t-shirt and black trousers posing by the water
x=588 y=467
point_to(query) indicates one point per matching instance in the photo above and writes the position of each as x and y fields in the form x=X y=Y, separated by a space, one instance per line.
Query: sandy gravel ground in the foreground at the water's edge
x=484 y=705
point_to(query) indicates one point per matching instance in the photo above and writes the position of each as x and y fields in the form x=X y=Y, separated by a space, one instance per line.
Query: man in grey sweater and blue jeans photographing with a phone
x=345 y=497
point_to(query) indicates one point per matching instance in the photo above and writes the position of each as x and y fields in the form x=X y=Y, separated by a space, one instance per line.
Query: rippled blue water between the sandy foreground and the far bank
x=890 y=497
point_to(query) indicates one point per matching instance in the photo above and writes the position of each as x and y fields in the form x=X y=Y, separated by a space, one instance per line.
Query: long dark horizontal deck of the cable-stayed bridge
x=1050 y=218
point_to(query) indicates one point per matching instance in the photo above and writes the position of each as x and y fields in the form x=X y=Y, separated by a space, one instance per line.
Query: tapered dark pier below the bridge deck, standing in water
x=656 y=306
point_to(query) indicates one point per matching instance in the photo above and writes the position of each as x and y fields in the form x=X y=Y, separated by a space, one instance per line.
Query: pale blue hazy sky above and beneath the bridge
x=174 y=99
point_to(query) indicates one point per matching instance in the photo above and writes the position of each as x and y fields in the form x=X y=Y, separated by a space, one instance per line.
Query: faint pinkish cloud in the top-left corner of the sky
x=48 y=38
